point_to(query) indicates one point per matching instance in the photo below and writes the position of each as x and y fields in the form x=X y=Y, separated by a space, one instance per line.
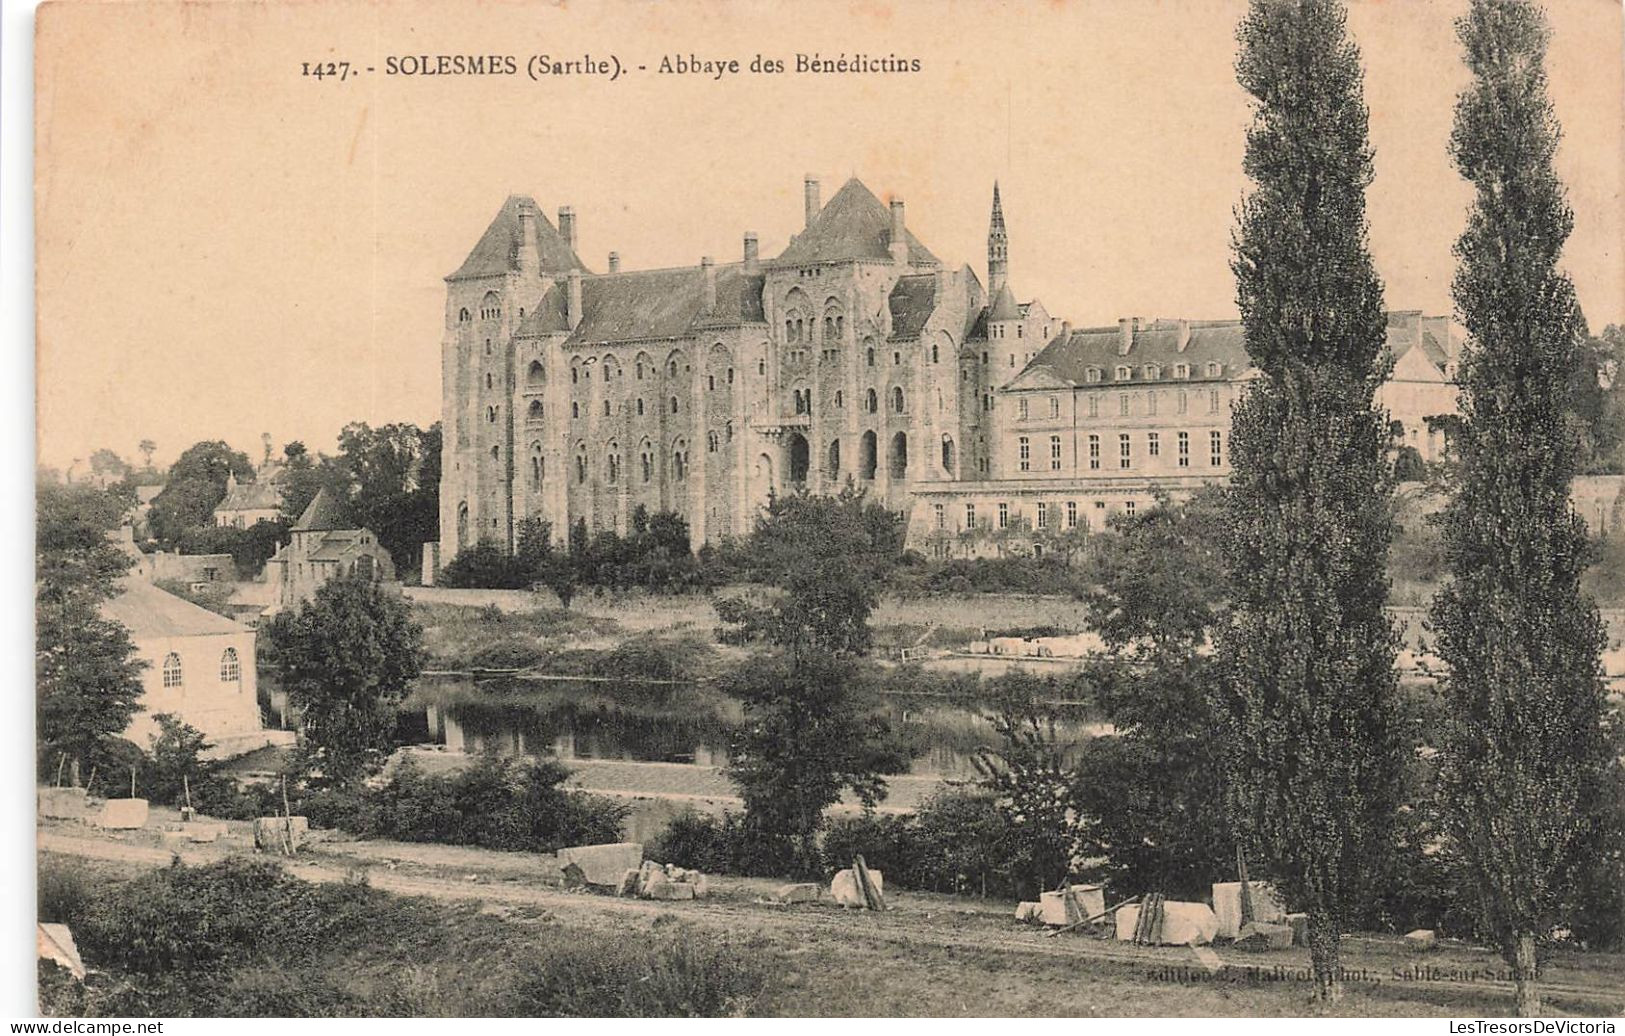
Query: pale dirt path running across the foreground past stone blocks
x=522 y=887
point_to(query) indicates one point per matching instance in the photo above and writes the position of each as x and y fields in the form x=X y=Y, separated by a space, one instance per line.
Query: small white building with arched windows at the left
x=201 y=668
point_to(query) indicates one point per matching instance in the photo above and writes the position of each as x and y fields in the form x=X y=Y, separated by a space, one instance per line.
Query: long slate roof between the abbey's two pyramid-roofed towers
x=646 y=304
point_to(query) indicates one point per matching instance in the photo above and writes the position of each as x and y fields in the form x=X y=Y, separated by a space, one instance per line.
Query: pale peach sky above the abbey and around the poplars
x=230 y=248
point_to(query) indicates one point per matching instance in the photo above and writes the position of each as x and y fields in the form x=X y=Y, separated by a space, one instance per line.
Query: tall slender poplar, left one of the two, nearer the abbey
x=1309 y=652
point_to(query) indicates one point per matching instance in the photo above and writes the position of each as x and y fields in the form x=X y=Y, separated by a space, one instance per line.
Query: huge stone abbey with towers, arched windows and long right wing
x=854 y=355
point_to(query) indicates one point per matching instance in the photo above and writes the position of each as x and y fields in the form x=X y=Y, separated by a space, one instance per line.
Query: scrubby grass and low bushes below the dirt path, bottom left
x=245 y=938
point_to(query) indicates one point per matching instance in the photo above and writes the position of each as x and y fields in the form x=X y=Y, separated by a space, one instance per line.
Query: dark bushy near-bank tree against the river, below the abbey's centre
x=807 y=736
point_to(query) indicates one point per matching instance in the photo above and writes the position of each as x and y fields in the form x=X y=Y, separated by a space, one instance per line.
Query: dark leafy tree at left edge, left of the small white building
x=85 y=667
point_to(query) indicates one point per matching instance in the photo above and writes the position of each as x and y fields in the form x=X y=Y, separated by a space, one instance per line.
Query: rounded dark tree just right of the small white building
x=345 y=660
